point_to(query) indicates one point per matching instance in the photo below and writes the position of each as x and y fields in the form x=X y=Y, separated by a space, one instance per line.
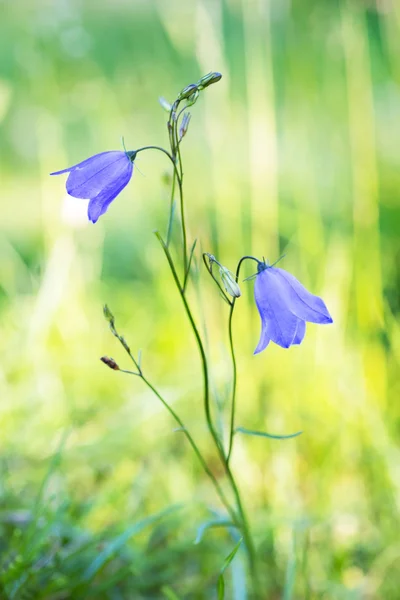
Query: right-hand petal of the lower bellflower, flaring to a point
x=300 y=301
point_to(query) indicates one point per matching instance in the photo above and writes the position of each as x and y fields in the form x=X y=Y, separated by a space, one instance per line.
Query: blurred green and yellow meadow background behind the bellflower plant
x=295 y=150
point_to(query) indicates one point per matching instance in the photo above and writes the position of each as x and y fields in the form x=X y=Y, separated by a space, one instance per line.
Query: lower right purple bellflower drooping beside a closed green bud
x=284 y=306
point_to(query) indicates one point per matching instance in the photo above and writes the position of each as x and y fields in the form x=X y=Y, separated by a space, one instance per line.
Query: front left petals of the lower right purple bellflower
x=278 y=323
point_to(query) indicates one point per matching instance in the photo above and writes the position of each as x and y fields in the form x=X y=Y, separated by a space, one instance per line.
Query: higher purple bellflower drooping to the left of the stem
x=99 y=179
